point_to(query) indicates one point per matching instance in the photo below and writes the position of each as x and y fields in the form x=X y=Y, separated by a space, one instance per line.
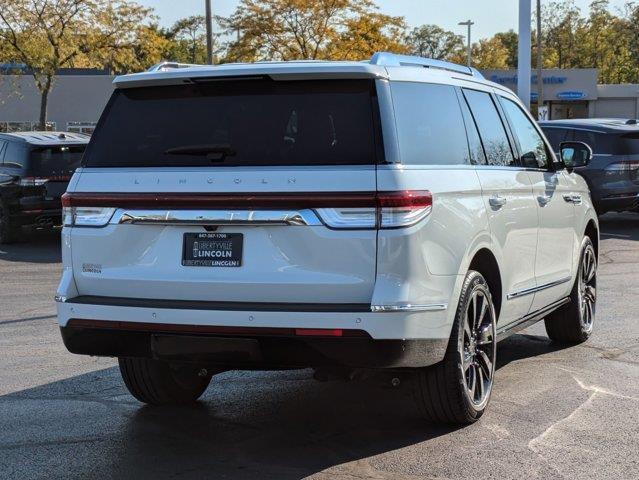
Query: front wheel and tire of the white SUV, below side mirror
x=573 y=323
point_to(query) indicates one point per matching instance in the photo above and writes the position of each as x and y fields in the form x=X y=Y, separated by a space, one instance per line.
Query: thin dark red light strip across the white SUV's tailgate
x=248 y=200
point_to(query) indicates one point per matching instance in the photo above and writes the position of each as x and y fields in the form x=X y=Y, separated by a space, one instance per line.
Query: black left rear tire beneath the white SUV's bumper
x=160 y=383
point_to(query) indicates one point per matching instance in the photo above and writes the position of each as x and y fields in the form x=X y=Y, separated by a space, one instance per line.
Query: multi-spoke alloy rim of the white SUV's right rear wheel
x=479 y=348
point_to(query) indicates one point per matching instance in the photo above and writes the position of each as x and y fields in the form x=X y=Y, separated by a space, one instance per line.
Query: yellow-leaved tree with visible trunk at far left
x=49 y=35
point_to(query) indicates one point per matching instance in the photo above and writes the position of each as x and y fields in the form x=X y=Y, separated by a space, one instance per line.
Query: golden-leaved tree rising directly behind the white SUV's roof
x=311 y=29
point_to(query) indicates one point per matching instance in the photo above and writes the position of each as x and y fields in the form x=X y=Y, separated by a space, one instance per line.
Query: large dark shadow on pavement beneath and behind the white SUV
x=267 y=425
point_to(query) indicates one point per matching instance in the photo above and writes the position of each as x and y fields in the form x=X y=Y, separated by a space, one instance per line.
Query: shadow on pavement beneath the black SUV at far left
x=40 y=246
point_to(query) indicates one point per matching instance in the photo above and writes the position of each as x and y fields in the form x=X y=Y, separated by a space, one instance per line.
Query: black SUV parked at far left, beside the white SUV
x=35 y=169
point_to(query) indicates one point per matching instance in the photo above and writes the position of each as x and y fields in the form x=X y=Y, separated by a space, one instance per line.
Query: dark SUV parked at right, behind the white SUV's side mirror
x=613 y=172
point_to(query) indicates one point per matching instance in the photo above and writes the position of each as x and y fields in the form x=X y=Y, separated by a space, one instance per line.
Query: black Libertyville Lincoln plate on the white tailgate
x=212 y=250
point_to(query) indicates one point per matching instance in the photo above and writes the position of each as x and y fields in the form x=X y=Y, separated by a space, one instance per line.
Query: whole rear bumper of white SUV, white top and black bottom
x=259 y=338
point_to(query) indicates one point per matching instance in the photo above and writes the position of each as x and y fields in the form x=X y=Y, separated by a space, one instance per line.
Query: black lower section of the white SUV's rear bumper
x=250 y=349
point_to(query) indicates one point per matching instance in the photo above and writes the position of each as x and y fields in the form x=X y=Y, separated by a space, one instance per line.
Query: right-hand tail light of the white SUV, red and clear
x=390 y=210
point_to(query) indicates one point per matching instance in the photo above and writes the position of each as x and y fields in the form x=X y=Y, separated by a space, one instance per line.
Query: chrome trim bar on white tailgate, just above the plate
x=305 y=217
